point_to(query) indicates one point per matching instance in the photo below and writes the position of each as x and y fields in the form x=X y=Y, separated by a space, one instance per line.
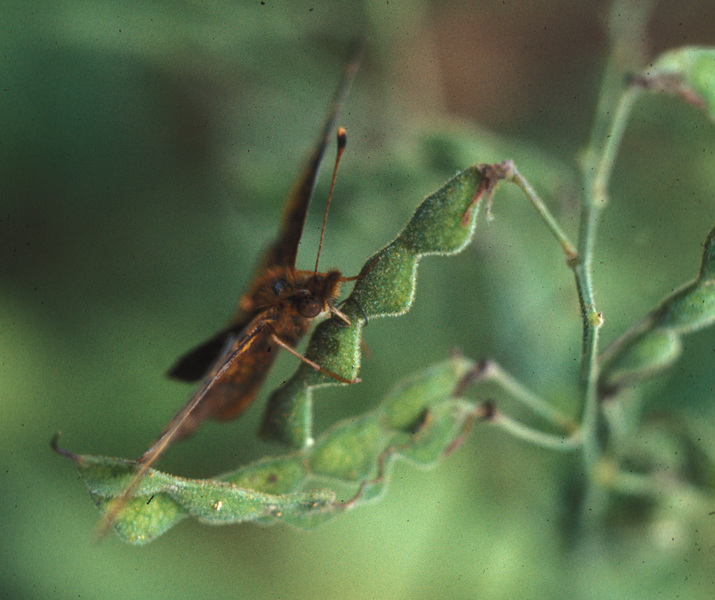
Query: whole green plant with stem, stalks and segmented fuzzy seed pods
x=427 y=416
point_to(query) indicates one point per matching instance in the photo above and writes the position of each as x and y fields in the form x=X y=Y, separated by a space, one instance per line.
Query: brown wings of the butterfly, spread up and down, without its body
x=236 y=360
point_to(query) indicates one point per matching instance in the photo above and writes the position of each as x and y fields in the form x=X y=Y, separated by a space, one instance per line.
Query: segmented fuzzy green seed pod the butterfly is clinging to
x=443 y=224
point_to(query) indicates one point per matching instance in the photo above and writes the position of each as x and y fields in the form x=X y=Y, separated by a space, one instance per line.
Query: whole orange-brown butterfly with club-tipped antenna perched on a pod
x=275 y=312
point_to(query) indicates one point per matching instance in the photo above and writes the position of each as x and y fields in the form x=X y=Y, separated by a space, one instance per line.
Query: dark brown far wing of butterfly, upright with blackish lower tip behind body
x=283 y=251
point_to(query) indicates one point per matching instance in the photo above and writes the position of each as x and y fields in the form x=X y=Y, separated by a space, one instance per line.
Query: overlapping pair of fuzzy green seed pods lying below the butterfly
x=360 y=449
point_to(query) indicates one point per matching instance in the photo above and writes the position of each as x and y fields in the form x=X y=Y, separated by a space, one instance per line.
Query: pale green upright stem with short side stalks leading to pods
x=627 y=23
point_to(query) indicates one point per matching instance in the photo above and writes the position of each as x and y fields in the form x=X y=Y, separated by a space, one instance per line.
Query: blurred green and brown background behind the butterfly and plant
x=145 y=151
